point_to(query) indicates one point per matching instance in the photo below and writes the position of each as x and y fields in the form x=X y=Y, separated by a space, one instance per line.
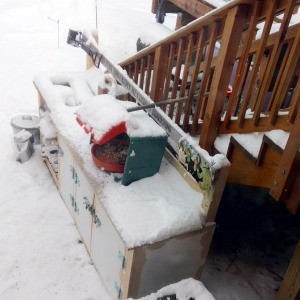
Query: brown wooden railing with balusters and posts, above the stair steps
x=222 y=49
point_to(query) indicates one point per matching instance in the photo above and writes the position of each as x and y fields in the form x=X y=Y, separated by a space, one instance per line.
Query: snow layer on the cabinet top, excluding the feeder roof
x=146 y=211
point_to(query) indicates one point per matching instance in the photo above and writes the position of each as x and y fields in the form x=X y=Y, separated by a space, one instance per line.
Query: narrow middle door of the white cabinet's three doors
x=84 y=200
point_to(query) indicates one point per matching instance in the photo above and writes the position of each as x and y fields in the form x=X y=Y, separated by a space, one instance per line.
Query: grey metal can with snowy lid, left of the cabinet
x=29 y=123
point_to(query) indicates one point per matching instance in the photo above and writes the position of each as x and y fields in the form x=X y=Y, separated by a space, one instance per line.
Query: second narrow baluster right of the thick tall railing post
x=257 y=61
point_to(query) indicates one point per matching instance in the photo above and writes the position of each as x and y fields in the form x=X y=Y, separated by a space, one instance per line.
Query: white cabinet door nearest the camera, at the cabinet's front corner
x=107 y=251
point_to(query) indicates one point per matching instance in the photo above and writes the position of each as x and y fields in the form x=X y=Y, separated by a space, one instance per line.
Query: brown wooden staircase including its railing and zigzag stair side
x=253 y=47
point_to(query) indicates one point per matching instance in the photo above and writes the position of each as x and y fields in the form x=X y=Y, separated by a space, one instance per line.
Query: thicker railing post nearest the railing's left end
x=159 y=70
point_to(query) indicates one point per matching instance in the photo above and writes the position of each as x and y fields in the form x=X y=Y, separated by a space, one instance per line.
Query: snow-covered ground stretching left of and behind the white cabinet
x=40 y=249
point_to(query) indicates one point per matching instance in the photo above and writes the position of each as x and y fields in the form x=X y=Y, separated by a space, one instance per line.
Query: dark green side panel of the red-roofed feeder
x=144 y=158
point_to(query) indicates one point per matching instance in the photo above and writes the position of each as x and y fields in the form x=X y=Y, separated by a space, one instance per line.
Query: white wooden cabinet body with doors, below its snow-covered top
x=126 y=272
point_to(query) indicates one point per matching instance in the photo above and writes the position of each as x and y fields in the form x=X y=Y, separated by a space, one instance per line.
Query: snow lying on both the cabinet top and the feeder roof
x=177 y=207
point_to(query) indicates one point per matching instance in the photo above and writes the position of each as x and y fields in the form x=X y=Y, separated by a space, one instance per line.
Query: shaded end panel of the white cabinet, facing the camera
x=159 y=264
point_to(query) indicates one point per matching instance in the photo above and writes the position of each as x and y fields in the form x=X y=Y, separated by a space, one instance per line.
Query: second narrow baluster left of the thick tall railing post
x=194 y=78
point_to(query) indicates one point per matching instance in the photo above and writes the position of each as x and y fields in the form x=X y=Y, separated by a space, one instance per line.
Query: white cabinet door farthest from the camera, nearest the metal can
x=66 y=176
